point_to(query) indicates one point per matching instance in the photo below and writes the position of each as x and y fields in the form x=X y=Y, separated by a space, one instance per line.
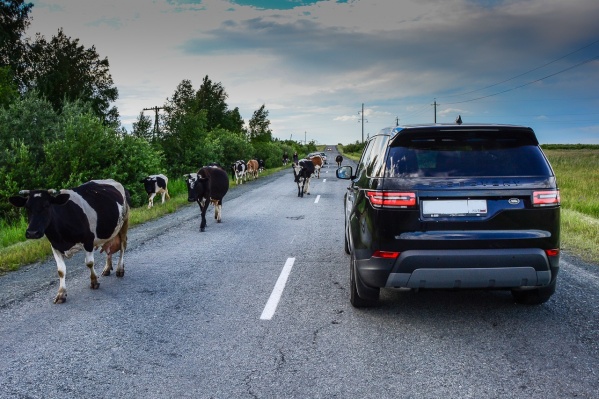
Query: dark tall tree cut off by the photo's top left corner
x=14 y=21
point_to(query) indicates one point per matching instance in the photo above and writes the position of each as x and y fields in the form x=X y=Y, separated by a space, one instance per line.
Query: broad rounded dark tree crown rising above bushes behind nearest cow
x=62 y=70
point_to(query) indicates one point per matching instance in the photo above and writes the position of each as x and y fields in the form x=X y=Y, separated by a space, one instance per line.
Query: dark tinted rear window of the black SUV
x=466 y=155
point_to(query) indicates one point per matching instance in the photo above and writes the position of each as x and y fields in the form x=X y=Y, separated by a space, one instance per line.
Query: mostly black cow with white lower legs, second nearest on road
x=209 y=185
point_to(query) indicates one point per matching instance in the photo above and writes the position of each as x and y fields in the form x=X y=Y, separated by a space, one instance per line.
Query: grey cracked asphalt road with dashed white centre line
x=258 y=307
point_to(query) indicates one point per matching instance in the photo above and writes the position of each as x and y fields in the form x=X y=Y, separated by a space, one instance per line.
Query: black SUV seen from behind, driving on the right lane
x=452 y=207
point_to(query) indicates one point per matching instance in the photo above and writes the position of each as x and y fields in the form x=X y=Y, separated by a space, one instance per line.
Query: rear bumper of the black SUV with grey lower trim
x=447 y=269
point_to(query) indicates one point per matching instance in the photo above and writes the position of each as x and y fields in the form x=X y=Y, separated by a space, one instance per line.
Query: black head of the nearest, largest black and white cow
x=38 y=204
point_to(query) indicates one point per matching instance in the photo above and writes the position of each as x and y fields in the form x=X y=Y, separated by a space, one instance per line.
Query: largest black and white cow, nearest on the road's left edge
x=91 y=216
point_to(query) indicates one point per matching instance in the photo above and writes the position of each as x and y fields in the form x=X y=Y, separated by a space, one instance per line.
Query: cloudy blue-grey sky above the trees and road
x=333 y=71
